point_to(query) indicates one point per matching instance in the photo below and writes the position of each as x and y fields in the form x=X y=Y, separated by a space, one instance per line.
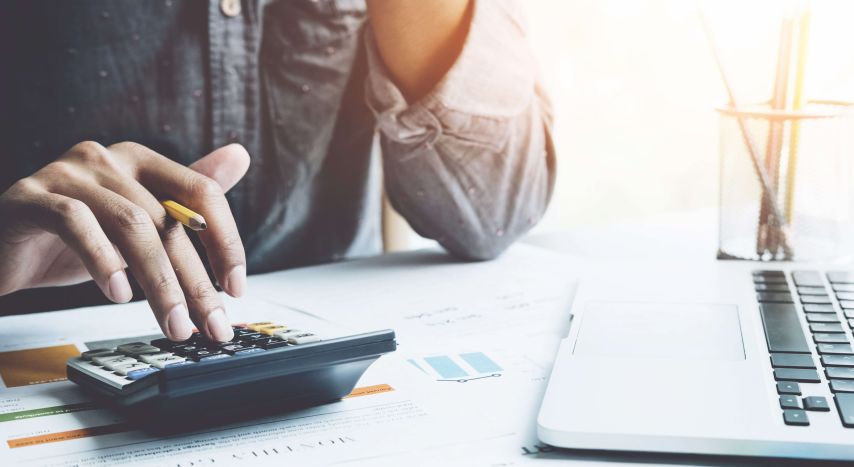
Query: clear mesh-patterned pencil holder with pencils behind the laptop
x=787 y=183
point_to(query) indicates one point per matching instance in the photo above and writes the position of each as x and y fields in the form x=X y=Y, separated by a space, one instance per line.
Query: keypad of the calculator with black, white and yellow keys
x=135 y=360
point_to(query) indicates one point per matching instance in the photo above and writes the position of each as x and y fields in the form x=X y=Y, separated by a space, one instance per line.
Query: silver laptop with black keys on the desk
x=739 y=358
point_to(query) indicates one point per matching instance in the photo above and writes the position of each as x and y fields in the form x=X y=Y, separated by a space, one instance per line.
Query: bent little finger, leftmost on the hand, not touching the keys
x=74 y=222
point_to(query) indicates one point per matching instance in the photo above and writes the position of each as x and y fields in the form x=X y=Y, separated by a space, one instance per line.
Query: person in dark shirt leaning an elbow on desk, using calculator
x=107 y=106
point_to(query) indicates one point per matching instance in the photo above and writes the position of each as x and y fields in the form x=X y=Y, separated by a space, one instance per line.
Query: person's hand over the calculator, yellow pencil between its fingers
x=96 y=210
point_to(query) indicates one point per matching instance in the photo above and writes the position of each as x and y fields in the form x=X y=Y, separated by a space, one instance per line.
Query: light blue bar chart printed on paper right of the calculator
x=461 y=367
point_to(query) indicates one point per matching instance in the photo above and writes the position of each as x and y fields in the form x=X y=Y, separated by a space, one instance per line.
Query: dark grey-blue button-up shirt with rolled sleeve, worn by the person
x=301 y=85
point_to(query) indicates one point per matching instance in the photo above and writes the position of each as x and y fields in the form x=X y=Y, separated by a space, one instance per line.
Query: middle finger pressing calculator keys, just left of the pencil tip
x=204 y=303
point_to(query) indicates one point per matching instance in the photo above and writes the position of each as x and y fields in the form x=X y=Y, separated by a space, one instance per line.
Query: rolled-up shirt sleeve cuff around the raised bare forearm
x=493 y=77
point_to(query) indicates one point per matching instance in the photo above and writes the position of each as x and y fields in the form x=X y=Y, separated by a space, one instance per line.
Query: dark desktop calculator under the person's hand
x=266 y=367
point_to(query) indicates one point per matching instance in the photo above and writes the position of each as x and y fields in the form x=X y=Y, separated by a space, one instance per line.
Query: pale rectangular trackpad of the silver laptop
x=665 y=330
